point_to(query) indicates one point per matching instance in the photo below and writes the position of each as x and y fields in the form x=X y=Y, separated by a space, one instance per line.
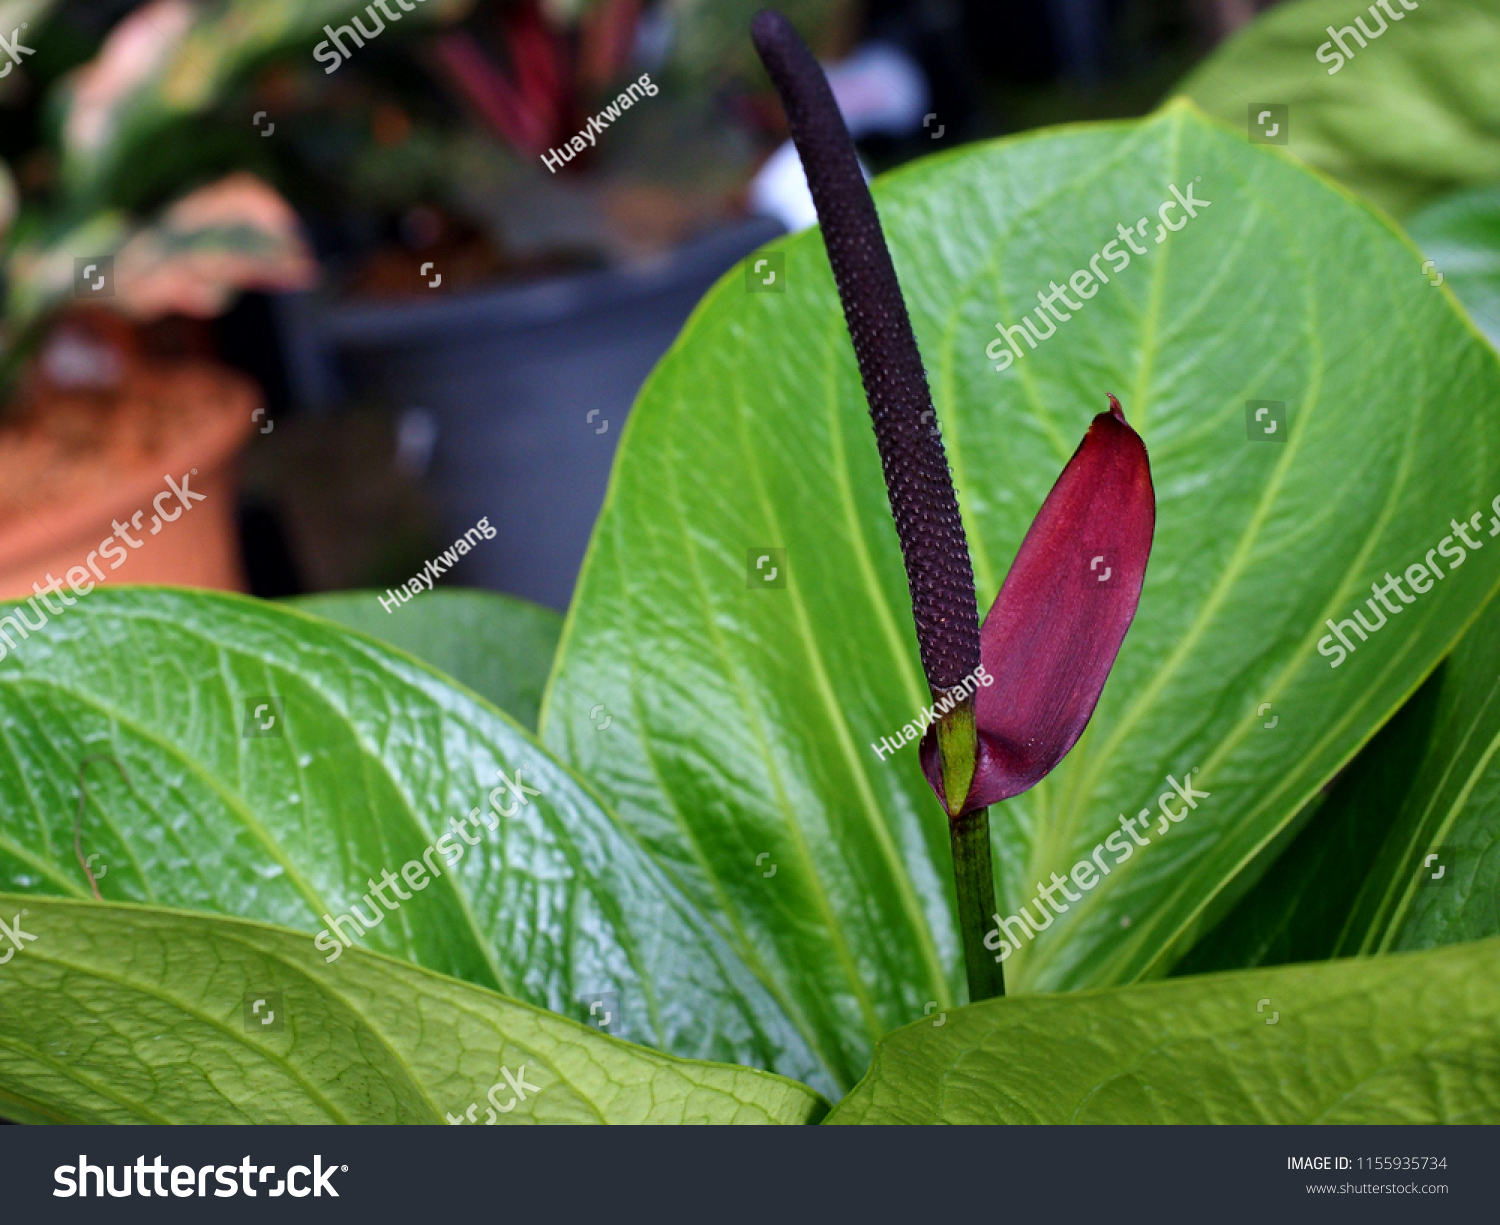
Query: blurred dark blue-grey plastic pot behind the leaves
x=530 y=389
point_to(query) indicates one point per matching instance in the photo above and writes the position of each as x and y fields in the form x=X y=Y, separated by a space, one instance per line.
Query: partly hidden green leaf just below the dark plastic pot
x=497 y=645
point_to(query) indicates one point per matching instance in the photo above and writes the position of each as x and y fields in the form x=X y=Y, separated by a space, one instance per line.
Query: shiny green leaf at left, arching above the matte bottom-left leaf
x=155 y=701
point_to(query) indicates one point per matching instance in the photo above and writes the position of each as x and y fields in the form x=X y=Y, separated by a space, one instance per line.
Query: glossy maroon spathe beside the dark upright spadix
x=1054 y=632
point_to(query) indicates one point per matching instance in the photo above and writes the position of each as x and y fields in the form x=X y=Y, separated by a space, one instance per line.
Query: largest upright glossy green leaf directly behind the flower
x=745 y=719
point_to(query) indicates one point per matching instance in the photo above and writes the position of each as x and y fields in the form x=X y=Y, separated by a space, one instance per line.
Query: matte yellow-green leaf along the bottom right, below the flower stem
x=1388 y=1040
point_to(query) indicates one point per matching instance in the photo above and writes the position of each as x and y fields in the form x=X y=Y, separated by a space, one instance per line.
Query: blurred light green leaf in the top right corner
x=1412 y=116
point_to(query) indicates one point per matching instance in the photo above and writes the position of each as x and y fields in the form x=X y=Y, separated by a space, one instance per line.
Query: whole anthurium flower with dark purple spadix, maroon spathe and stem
x=1055 y=629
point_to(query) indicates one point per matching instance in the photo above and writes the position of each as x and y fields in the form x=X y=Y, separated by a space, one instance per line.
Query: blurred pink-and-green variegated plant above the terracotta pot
x=164 y=62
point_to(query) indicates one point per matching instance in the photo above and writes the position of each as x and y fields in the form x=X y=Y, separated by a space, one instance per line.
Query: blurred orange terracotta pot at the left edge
x=200 y=548
